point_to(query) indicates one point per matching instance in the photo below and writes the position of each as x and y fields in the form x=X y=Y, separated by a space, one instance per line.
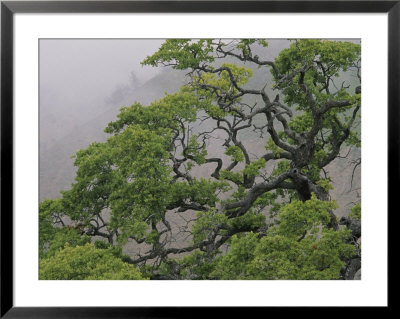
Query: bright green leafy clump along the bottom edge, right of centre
x=282 y=257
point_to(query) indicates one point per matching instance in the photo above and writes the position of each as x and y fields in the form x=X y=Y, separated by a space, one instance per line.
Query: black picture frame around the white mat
x=9 y=8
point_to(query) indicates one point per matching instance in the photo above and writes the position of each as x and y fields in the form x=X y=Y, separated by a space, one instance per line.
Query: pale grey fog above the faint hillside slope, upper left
x=81 y=78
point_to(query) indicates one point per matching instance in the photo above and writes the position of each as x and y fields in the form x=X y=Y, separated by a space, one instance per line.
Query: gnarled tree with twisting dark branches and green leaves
x=223 y=179
